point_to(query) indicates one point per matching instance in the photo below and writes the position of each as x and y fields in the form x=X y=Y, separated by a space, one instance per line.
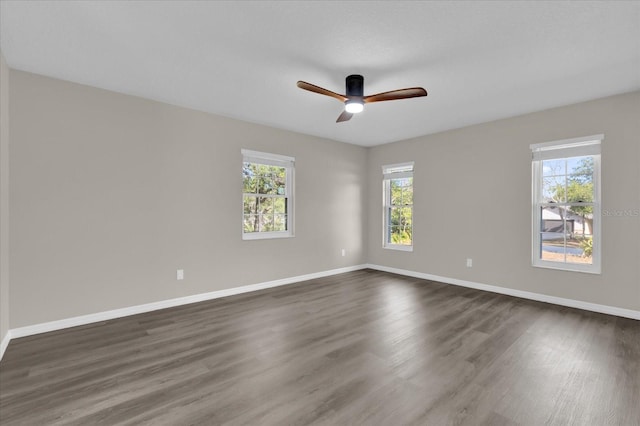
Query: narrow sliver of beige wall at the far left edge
x=4 y=198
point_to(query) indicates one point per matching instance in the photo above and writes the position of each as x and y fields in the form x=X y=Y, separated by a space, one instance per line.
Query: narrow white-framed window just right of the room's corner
x=398 y=206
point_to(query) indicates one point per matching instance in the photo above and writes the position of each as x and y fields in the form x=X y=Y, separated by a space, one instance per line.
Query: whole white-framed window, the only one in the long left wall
x=267 y=199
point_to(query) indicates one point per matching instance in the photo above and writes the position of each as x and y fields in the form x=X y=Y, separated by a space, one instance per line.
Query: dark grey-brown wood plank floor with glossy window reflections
x=364 y=347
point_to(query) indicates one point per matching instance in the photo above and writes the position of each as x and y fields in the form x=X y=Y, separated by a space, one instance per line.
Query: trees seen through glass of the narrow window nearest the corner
x=400 y=214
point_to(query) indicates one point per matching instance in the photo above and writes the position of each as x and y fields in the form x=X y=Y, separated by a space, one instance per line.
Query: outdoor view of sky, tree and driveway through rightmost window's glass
x=567 y=210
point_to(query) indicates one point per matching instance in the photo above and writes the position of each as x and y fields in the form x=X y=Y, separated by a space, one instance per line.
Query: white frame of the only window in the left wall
x=264 y=158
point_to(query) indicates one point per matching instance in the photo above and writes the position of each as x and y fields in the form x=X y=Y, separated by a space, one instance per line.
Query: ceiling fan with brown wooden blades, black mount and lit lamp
x=354 y=100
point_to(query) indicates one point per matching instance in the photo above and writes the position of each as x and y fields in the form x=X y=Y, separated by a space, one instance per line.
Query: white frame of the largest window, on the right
x=567 y=148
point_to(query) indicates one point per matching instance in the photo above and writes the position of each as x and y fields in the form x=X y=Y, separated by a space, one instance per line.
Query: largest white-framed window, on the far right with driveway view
x=566 y=204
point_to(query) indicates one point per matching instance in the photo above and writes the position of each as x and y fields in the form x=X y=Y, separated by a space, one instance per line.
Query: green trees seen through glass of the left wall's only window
x=265 y=198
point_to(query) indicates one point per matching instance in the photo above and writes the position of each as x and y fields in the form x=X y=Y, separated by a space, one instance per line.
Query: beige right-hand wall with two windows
x=473 y=200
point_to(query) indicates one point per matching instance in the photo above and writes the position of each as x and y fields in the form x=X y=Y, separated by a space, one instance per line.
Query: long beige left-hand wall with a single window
x=110 y=194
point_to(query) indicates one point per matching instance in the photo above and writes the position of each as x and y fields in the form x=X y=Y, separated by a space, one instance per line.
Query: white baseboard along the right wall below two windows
x=603 y=309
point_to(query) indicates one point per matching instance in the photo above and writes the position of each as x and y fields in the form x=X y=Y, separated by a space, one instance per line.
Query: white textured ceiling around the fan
x=479 y=61
